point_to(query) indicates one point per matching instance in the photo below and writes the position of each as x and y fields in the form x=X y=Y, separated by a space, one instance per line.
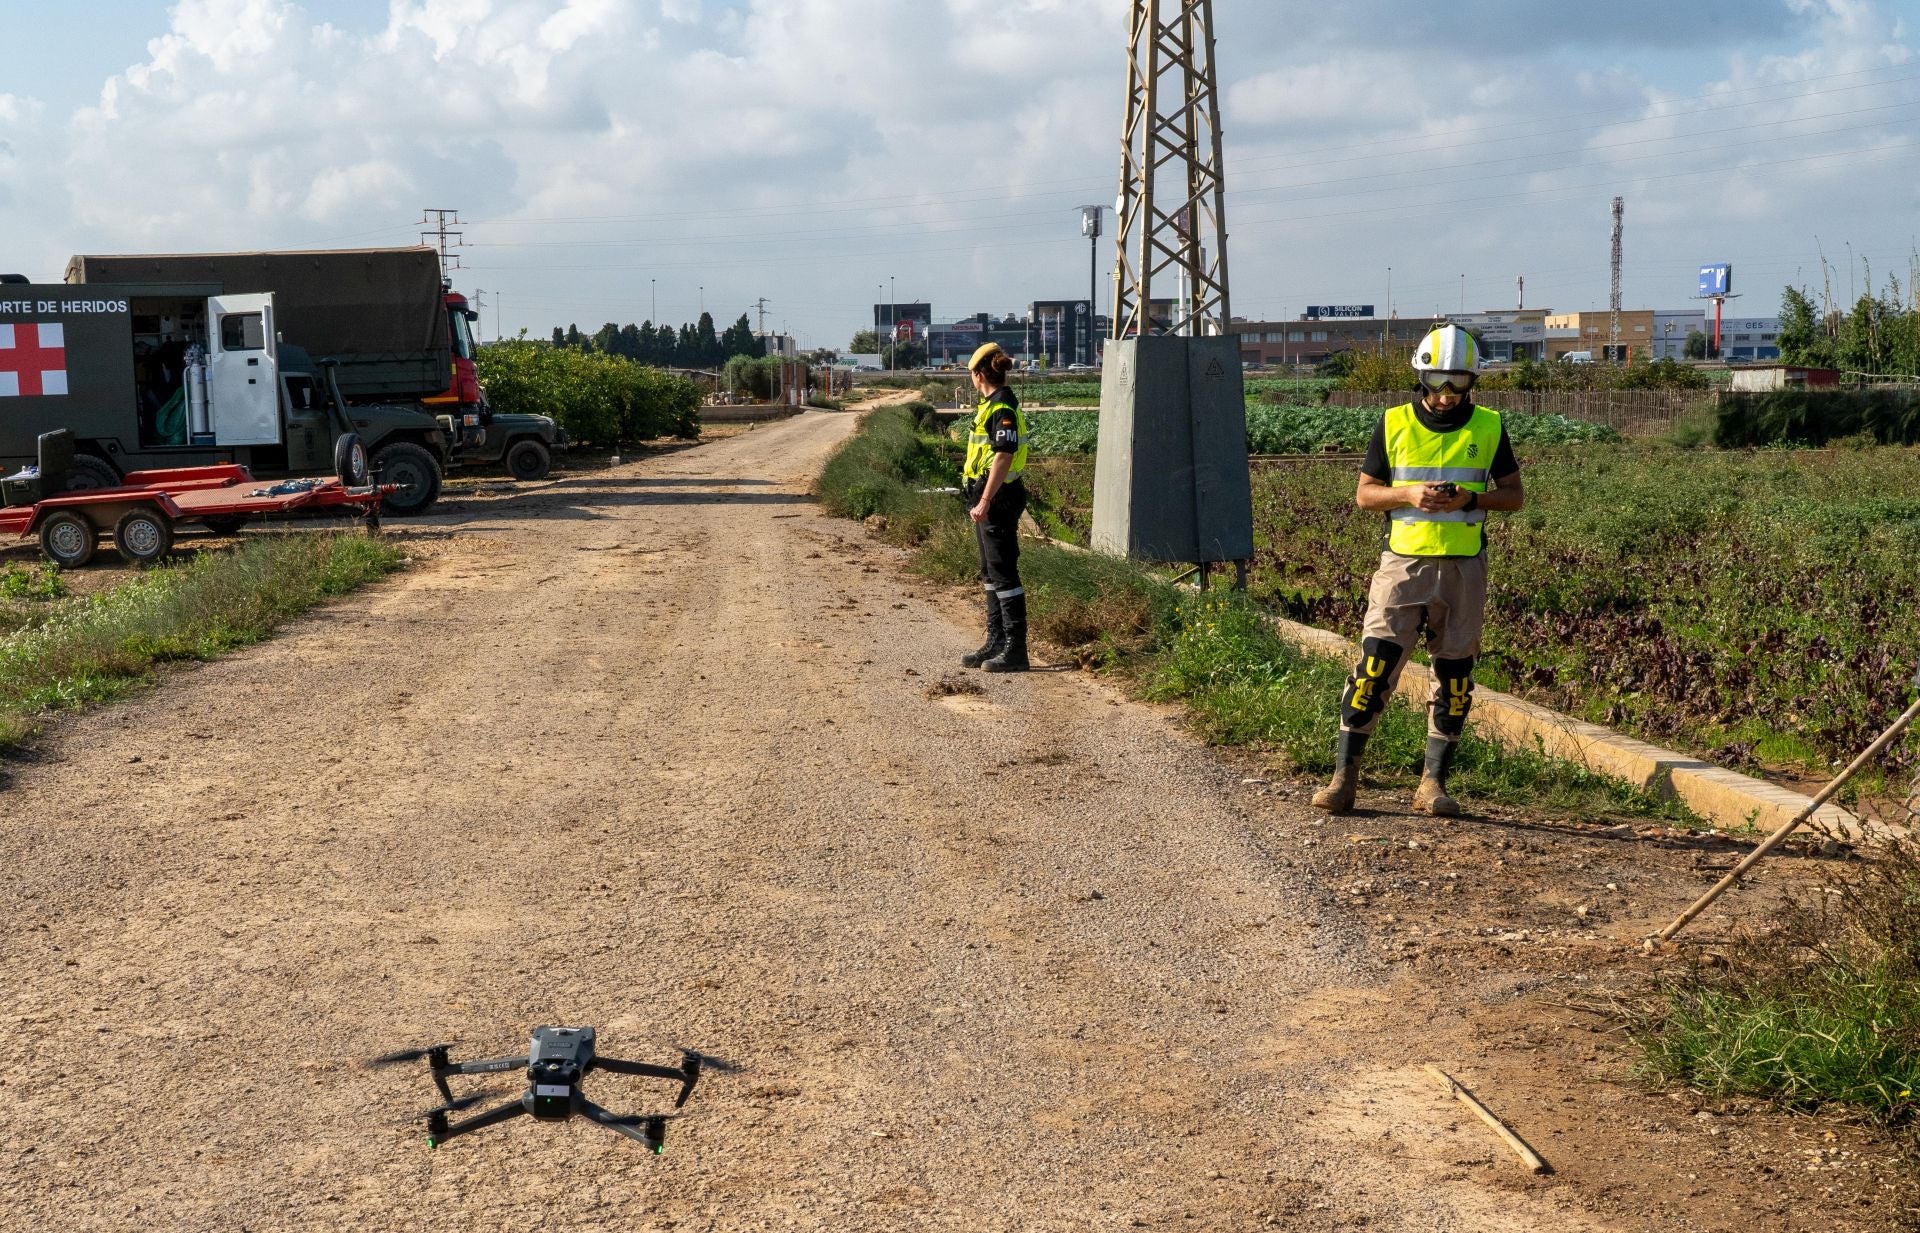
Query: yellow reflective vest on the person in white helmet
x=1420 y=456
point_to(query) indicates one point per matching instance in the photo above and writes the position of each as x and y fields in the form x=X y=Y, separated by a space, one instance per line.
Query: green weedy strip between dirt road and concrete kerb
x=1212 y=652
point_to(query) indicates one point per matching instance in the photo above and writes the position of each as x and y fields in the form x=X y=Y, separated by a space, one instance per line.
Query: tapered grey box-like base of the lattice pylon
x=1170 y=479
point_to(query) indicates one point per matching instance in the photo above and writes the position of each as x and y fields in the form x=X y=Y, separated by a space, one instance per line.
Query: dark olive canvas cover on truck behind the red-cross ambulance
x=381 y=312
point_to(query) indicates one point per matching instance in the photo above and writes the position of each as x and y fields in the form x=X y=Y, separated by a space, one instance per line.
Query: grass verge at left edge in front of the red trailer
x=80 y=652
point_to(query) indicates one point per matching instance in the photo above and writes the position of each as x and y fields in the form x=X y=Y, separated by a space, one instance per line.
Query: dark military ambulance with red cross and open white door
x=162 y=375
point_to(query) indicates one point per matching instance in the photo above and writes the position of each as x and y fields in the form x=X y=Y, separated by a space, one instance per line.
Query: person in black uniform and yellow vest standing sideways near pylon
x=997 y=496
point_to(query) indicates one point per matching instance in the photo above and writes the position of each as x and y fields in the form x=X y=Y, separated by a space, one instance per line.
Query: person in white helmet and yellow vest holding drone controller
x=1435 y=468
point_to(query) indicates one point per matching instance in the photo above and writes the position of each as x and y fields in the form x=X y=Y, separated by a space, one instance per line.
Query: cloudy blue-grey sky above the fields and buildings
x=610 y=153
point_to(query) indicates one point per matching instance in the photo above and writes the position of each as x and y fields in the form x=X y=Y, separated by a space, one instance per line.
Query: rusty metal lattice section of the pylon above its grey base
x=1172 y=197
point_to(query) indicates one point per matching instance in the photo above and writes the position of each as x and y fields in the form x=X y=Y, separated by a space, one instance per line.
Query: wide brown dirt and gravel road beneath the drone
x=654 y=750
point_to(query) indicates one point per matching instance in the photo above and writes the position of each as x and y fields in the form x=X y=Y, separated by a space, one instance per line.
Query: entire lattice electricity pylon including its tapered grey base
x=1170 y=475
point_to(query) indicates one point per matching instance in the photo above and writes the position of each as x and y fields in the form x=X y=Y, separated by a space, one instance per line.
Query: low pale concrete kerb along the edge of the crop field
x=1721 y=796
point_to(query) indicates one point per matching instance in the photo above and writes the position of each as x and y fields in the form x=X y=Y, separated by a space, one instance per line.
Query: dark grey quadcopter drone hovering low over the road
x=558 y=1061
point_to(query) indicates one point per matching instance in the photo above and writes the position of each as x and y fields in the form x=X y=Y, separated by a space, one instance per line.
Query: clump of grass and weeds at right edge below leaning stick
x=1819 y=1009
